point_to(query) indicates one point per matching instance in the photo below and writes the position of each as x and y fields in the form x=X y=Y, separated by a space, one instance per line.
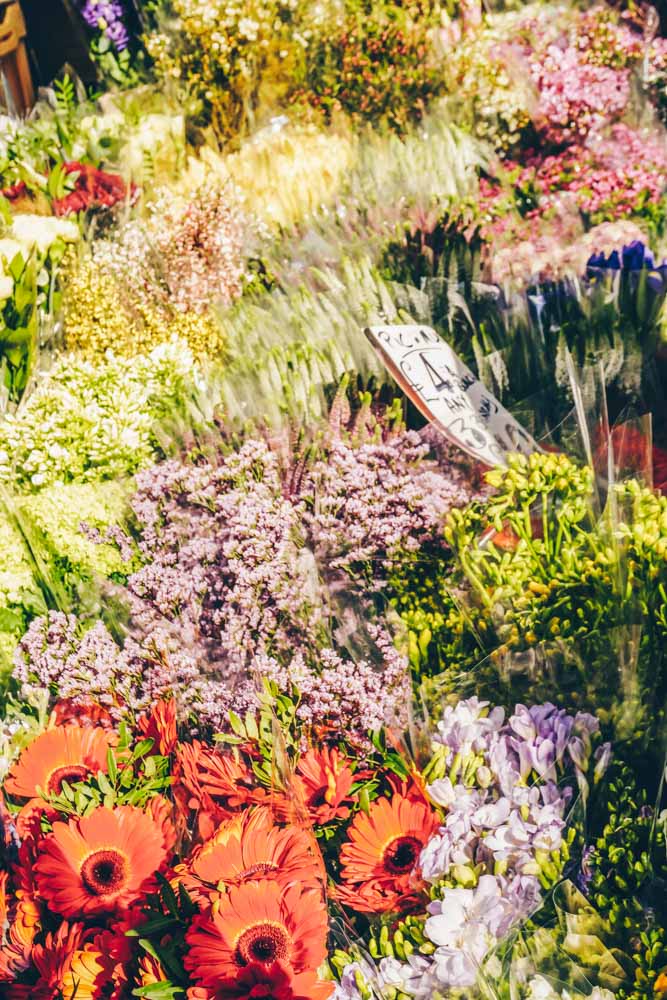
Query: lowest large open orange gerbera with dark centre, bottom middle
x=258 y=923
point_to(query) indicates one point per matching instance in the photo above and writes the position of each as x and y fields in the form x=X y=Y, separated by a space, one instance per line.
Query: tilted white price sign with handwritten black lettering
x=449 y=394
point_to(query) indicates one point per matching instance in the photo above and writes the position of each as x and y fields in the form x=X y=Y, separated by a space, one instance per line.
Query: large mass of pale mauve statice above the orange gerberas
x=230 y=592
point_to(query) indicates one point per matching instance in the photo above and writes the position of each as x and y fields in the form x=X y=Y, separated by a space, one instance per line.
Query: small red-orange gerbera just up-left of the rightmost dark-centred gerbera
x=325 y=779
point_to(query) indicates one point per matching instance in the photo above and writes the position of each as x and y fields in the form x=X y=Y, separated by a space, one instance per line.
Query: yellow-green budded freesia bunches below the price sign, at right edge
x=548 y=597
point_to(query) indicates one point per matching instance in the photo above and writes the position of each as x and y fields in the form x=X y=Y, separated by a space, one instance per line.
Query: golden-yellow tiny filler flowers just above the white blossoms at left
x=97 y=317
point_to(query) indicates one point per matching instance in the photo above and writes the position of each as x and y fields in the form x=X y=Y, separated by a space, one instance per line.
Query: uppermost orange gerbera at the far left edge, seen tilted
x=66 y=753
